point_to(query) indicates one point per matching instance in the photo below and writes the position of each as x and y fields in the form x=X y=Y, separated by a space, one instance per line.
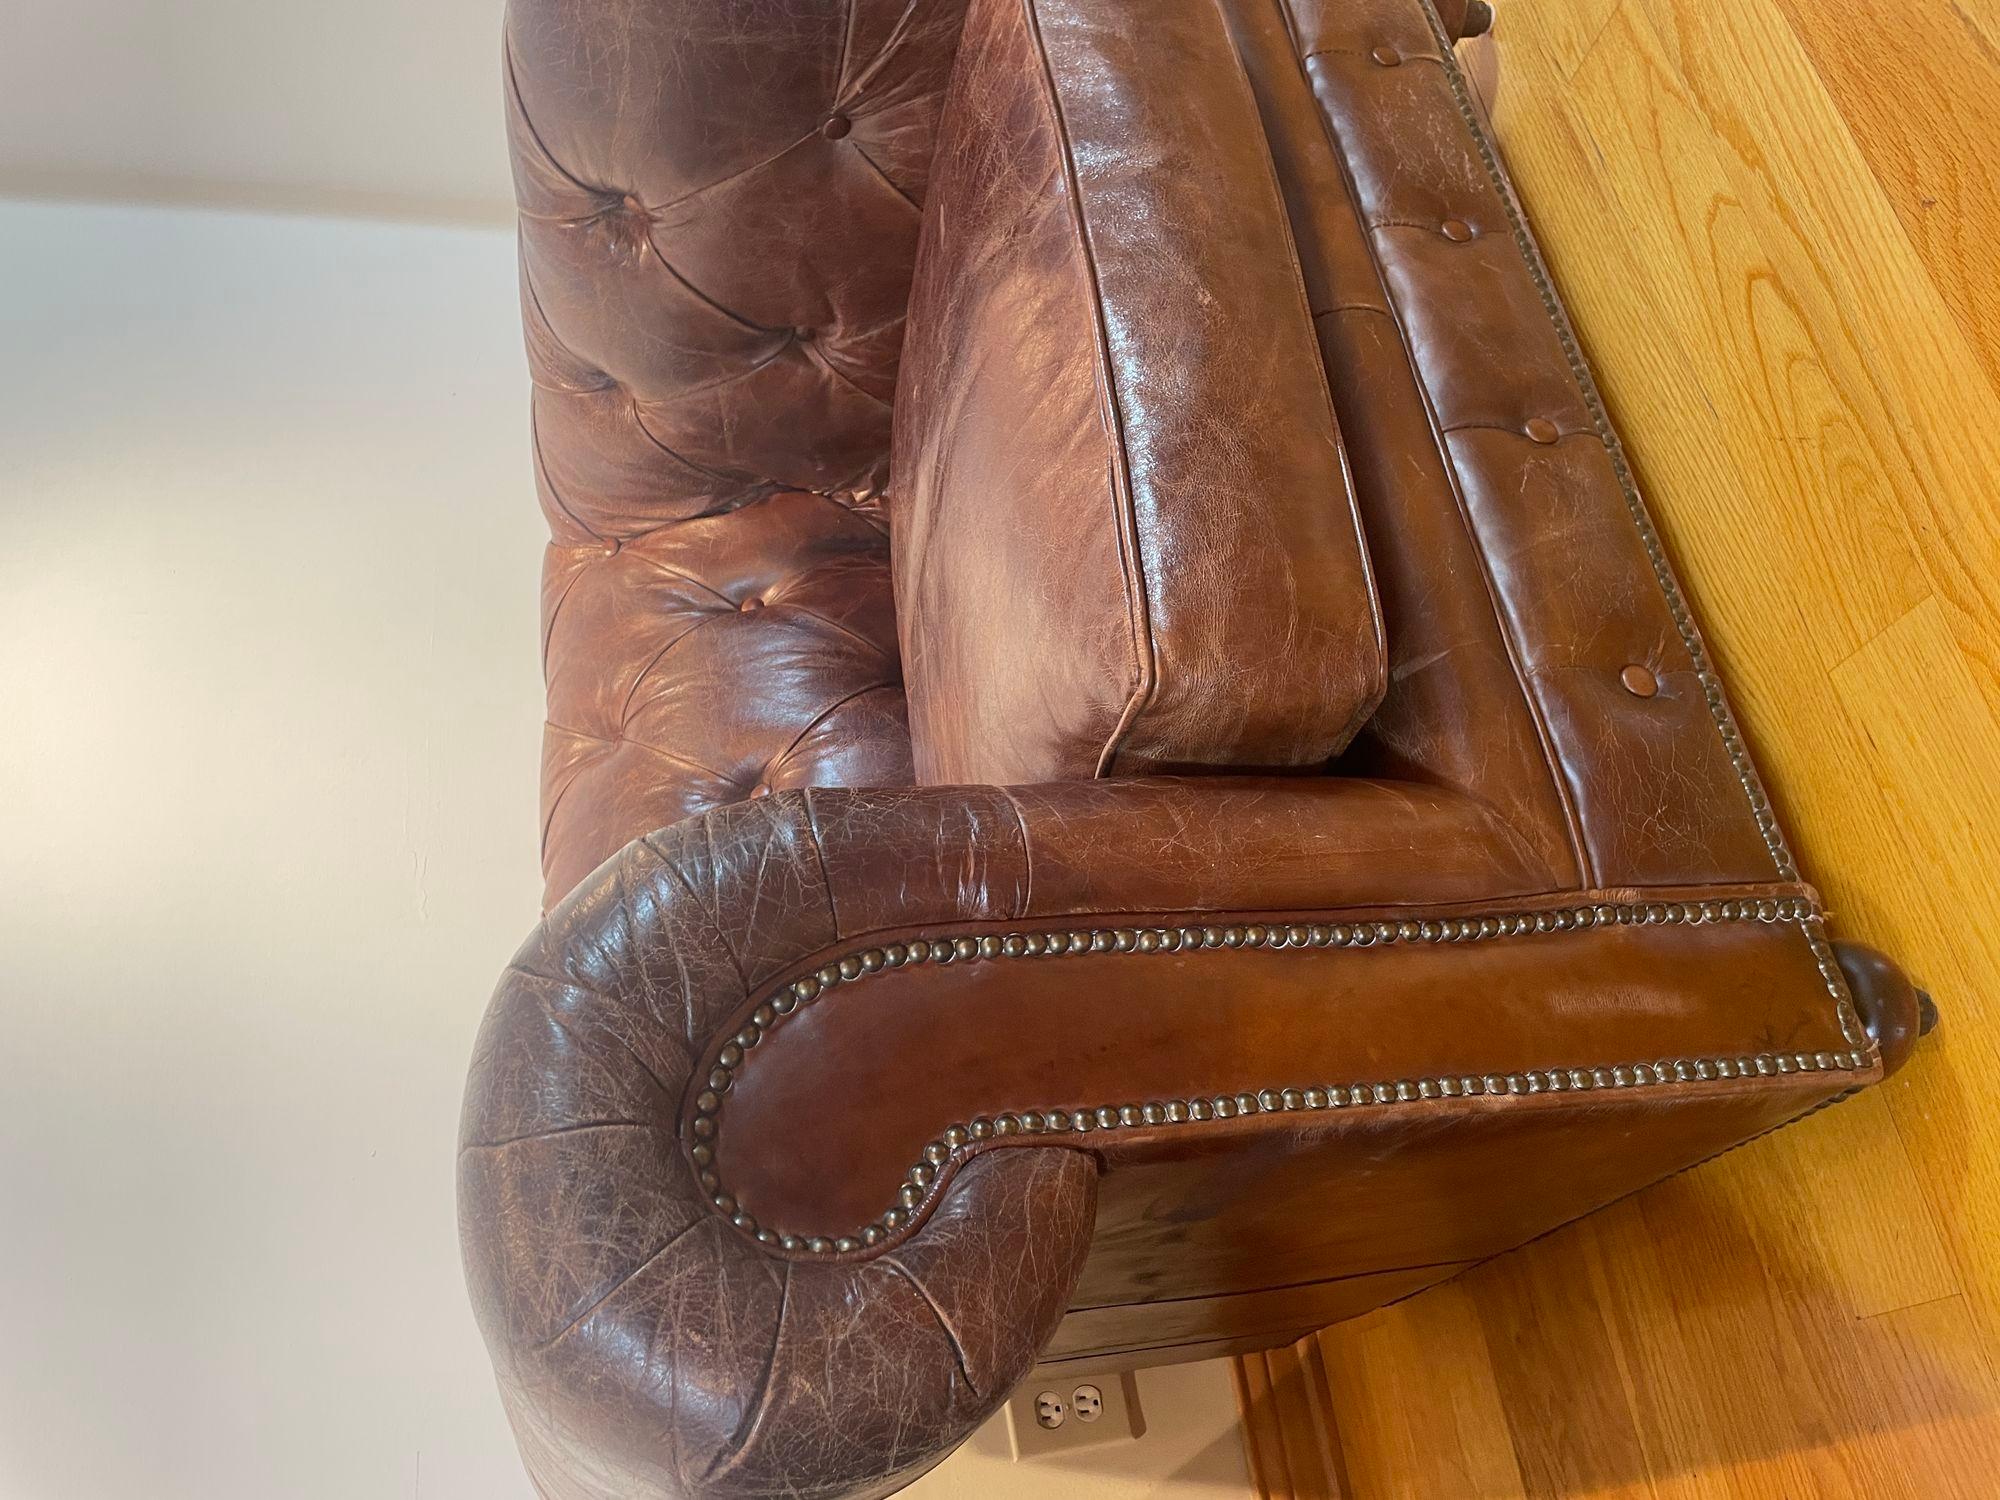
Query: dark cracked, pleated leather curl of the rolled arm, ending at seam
x=649 y=1349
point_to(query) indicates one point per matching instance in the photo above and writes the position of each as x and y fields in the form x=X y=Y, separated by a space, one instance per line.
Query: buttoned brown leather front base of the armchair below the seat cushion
x=1421 y=273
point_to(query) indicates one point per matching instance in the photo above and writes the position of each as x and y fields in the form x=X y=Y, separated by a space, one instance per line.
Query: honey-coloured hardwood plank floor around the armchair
x=1777 y=227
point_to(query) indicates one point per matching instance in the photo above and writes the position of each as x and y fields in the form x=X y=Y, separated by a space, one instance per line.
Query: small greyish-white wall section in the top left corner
x=375 y=107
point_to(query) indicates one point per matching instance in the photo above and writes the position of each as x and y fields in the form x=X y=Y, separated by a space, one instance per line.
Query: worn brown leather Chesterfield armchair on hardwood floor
x=871 y=1057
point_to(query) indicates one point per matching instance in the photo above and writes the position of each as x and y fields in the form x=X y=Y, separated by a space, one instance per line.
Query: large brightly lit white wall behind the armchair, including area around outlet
x=269 y=731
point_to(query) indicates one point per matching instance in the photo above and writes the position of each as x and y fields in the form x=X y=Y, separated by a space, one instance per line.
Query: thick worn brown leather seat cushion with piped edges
x=1123 y=529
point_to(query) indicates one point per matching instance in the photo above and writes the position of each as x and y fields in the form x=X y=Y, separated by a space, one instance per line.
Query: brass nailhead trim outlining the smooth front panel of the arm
x=925 y=1175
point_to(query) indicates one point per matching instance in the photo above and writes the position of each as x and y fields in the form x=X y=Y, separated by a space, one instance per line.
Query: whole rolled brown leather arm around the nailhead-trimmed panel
x=651 y=1347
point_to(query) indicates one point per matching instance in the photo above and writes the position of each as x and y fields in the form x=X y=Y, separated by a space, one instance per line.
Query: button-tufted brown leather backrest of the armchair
x=719 y=213
